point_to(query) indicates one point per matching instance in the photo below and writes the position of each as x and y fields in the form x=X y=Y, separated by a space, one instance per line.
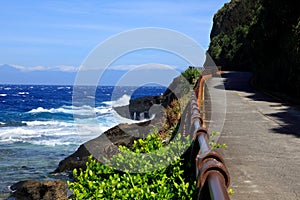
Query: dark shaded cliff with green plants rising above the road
x=262 y=36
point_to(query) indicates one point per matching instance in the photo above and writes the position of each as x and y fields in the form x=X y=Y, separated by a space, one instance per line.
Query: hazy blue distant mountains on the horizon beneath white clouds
x=12 y=74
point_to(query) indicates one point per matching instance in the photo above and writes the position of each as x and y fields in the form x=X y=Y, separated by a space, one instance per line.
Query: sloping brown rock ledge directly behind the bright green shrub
x=106 y=144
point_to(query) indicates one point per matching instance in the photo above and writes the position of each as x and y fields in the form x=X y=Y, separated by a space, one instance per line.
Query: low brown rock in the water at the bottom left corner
x=35 y=190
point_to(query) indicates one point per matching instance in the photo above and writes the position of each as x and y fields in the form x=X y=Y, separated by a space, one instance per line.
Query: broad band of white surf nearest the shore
x=51 y=135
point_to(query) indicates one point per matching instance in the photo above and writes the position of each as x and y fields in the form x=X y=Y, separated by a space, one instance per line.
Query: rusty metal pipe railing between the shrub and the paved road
x=212 y=175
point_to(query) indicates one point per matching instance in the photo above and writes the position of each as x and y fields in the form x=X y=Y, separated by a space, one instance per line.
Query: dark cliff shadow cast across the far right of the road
x=283 y=113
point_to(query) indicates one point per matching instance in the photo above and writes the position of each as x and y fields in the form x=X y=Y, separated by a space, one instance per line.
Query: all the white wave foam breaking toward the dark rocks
x=90 y=123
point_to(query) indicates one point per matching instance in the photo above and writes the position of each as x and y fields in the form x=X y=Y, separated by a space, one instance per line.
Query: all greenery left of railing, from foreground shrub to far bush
x=152 y=168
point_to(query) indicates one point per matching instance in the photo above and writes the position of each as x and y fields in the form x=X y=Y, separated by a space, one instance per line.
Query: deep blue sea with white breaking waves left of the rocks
x=37 y=127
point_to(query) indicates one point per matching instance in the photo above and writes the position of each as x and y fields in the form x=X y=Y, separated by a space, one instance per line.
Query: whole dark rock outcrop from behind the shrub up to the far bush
x=107 y=143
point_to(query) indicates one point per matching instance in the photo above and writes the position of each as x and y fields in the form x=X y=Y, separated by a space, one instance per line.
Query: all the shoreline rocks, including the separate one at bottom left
x=103 y=146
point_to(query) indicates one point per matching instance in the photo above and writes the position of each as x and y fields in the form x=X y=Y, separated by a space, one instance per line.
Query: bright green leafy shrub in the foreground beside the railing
x=159 y=181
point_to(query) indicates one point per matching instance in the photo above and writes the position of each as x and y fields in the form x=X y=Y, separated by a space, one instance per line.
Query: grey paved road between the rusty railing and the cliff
x=263 y=138
